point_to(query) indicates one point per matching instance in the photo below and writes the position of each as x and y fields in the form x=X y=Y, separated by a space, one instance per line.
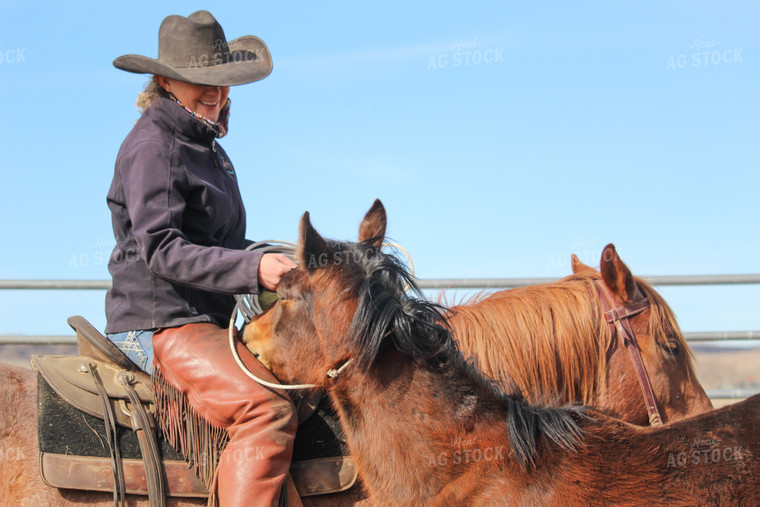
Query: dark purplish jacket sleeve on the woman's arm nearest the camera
x=155 y=198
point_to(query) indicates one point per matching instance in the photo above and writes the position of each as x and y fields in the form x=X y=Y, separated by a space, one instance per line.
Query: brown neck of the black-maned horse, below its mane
x=400 y=418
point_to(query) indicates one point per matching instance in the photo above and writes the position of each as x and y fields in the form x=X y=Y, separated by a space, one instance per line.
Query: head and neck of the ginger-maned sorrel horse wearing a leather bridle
x=553 y=343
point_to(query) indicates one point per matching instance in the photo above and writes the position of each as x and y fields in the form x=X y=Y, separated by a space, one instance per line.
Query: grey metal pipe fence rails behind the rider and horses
x=440 y=284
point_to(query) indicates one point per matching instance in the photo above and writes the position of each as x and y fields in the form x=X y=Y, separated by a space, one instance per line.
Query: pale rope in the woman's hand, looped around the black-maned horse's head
x=248 y=306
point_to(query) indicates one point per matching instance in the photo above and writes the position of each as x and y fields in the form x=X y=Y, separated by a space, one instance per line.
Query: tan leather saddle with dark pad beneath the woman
x=97 y=431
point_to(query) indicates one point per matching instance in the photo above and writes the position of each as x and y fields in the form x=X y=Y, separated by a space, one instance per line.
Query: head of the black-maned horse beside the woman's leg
x=343 y=303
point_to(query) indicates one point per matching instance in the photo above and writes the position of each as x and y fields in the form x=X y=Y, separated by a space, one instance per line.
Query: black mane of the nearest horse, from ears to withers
x=392 y=308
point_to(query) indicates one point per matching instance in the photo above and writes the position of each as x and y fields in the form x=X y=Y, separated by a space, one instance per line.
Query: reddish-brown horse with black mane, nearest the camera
x=427 y=428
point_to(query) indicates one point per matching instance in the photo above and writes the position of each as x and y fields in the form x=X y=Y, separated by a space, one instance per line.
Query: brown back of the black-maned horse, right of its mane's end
x=710 y=459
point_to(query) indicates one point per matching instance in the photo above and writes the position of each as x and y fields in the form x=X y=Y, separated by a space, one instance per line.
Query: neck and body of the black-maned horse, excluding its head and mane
x=455 y=450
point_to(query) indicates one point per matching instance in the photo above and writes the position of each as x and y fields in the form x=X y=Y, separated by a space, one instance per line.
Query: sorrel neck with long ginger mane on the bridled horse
x=551 y=340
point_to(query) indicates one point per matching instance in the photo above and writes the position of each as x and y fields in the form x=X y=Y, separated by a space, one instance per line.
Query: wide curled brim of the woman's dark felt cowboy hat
x=249 y=60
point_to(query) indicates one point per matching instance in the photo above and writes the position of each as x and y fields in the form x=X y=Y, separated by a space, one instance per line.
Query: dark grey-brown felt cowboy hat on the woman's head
x=194 y=49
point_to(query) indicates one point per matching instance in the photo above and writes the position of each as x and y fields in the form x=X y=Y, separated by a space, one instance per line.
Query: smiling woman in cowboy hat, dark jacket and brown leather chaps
x=179 y=224
